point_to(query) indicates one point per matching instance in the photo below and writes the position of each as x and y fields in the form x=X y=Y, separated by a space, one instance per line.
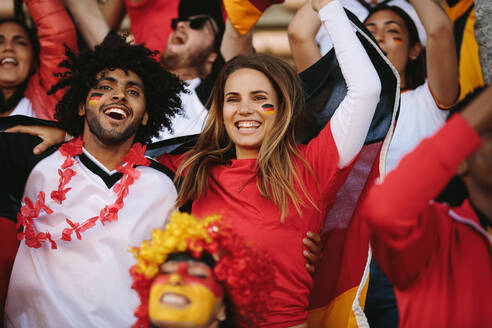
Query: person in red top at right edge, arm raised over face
x=438 y=257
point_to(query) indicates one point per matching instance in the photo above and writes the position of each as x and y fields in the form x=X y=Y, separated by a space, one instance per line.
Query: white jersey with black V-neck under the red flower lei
x=85 y=283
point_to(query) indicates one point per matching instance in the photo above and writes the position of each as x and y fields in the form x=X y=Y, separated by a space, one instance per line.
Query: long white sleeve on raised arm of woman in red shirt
x=350 y=122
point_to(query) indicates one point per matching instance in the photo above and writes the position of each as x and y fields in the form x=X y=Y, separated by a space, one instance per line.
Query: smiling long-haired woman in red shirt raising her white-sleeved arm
x=248 y=167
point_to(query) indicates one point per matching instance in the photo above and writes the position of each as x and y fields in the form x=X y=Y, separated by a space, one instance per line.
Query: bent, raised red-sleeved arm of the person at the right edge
x=404 y=230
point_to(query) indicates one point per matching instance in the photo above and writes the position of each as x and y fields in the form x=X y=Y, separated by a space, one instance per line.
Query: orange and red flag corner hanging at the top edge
x=243 y=14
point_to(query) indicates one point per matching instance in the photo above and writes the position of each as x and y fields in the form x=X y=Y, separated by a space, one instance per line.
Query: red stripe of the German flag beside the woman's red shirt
x=345 y=235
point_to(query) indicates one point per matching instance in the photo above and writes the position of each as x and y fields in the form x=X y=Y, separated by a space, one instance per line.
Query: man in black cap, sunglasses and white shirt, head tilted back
x=193 y=54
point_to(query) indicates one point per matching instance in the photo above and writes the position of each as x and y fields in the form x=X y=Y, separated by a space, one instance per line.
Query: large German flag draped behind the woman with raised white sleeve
x=341 y=280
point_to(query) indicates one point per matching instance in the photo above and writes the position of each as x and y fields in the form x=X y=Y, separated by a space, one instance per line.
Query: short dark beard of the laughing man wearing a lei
x=111 y=137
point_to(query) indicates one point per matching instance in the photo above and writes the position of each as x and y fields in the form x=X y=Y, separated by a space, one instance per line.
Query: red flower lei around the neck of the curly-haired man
x=30 y=210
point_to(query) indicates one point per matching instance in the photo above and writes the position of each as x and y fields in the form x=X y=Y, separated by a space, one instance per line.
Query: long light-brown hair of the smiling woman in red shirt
x=276 y=175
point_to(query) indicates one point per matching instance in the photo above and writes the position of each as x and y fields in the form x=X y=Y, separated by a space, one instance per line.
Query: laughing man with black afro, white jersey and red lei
x=79 y=205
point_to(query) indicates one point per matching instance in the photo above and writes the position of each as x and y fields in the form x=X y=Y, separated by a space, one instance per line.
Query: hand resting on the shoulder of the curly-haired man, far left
x=50 y=135
